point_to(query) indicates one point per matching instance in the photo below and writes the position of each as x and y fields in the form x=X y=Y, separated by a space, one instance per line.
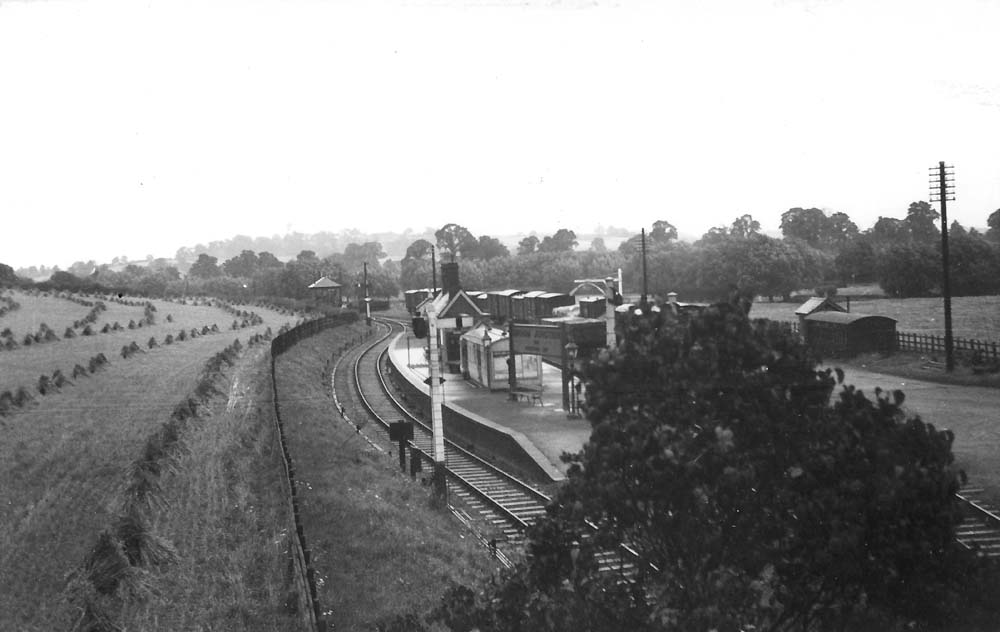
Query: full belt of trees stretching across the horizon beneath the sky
x=817 y=252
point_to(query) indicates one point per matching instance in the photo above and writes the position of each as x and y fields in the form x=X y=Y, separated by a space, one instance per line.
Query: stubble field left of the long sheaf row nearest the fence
x=63 y=458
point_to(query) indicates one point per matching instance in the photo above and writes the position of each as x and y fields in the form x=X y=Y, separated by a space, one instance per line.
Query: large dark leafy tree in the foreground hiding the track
x=753 y=500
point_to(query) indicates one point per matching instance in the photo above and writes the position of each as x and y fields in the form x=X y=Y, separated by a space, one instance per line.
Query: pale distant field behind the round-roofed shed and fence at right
x=974 y=317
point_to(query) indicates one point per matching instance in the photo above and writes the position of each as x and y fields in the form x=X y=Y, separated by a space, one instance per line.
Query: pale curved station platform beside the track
x=538 y=428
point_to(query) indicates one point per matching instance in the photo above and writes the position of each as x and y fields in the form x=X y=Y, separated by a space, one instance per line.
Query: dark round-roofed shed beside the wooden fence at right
x=842 y=334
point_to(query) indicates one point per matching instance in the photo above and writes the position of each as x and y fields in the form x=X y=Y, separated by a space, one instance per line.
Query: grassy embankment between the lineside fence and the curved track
x=379 y=548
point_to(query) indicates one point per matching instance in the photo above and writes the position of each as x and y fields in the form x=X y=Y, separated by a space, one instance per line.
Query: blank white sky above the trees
x=137 y=127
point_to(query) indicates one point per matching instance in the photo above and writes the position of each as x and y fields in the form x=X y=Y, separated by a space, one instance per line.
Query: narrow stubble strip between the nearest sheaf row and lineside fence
x=225 y=512
